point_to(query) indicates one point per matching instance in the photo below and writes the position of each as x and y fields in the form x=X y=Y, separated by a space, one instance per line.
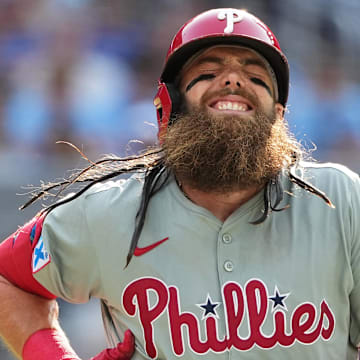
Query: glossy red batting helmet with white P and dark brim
x=213 y=27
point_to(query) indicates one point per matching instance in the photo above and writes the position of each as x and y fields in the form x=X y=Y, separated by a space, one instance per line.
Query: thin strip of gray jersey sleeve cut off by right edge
x=354 y=221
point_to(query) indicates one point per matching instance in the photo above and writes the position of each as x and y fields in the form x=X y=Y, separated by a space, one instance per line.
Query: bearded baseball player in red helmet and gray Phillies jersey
x=224 y=243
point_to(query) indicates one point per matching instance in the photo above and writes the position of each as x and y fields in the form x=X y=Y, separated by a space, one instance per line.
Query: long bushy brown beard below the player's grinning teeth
x=225 y=153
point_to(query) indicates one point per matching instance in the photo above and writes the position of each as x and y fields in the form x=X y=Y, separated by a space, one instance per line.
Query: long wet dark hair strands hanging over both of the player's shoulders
x=156 y=174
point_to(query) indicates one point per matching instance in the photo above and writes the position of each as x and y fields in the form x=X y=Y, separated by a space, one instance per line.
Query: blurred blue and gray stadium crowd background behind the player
x=85 y=71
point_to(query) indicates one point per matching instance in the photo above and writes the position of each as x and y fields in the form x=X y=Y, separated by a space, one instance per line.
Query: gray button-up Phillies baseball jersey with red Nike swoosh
x=288 y=288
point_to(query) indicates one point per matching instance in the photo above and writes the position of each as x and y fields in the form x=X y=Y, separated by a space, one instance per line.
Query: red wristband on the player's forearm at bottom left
x=48 y=344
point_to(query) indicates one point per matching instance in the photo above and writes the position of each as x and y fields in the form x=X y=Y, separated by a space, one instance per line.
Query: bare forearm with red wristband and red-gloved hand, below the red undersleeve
x=29 y=325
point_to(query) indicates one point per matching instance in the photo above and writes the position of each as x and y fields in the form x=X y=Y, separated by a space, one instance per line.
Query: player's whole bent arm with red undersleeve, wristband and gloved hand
x=29 y=312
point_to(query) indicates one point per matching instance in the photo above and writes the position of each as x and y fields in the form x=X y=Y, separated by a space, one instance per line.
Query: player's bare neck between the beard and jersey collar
x=222 y=205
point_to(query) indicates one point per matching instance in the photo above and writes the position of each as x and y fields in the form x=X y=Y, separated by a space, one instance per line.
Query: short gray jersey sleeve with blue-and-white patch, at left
x=68 y=265
